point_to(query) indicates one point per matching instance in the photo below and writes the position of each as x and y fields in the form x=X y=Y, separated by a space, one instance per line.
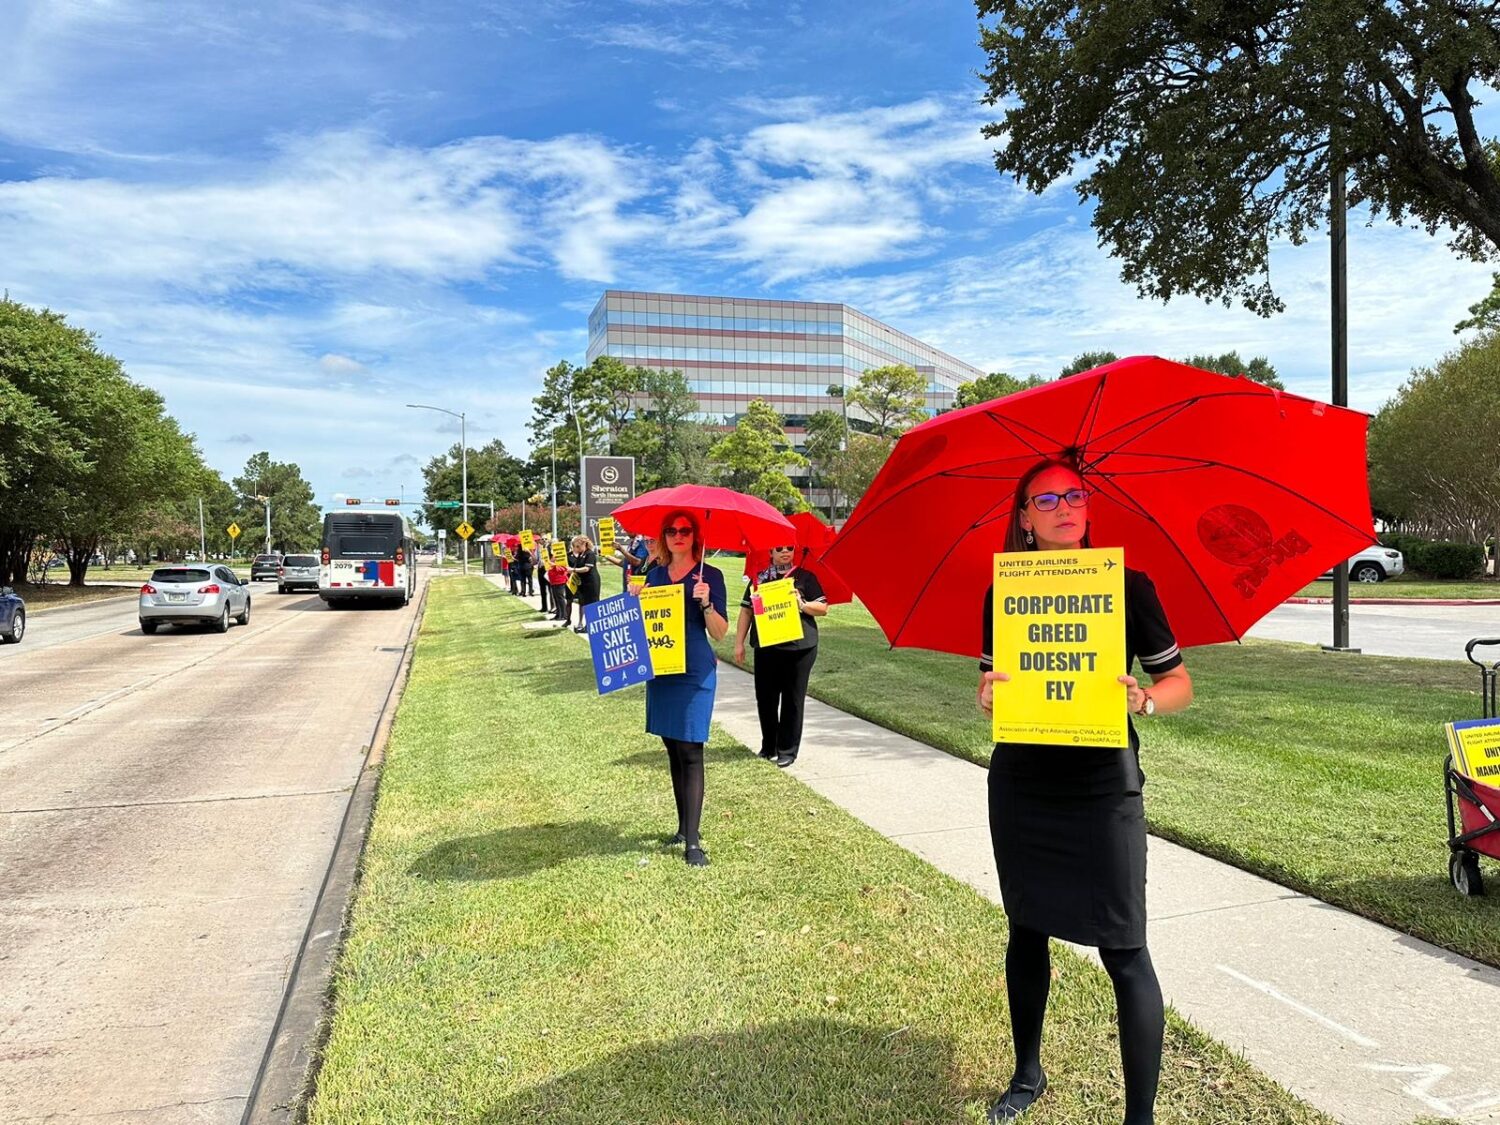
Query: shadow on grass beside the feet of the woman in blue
x=514 y=853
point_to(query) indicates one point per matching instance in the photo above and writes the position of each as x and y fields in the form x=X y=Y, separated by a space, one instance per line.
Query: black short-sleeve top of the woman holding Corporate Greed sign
x=1093 y=770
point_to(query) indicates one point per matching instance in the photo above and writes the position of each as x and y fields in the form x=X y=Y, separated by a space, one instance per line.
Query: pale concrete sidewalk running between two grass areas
x=1364 y=1022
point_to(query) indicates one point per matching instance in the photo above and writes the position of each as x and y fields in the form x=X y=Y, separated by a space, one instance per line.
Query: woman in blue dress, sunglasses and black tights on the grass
x=680 y=707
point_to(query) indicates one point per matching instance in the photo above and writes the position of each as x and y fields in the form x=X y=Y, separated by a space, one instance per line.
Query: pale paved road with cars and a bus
x=169 y=806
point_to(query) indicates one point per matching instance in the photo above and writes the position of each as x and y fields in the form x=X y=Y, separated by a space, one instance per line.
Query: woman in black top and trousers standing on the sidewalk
x=782 y=671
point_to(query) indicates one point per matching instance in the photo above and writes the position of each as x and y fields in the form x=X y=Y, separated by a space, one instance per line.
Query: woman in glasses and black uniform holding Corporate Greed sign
x=1070 y=829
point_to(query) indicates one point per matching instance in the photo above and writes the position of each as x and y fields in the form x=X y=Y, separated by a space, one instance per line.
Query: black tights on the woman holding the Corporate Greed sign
x=1138 y=995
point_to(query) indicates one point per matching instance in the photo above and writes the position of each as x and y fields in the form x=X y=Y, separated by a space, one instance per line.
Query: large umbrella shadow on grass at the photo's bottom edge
x=794 y=1072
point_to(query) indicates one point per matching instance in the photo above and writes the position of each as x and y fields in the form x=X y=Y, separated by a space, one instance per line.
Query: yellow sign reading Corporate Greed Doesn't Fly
x=1060 y=632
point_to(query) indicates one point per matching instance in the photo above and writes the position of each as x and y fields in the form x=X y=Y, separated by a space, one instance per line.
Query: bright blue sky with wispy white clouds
x=295 y=217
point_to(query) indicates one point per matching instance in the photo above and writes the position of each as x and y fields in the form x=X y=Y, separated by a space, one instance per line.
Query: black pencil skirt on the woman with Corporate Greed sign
x=1072 y=865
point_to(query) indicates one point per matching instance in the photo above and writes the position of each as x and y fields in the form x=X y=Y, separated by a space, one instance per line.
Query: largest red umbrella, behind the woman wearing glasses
x=1231 y=496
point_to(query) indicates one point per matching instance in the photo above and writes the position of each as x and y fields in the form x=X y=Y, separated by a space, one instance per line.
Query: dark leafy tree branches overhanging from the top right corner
x=1208 y=133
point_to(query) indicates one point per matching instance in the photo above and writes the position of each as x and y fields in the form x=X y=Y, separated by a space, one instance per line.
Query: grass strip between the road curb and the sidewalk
x=523 y=950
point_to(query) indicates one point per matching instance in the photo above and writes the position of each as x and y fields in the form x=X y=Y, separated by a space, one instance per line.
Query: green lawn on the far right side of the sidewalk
x=1316 y=770
